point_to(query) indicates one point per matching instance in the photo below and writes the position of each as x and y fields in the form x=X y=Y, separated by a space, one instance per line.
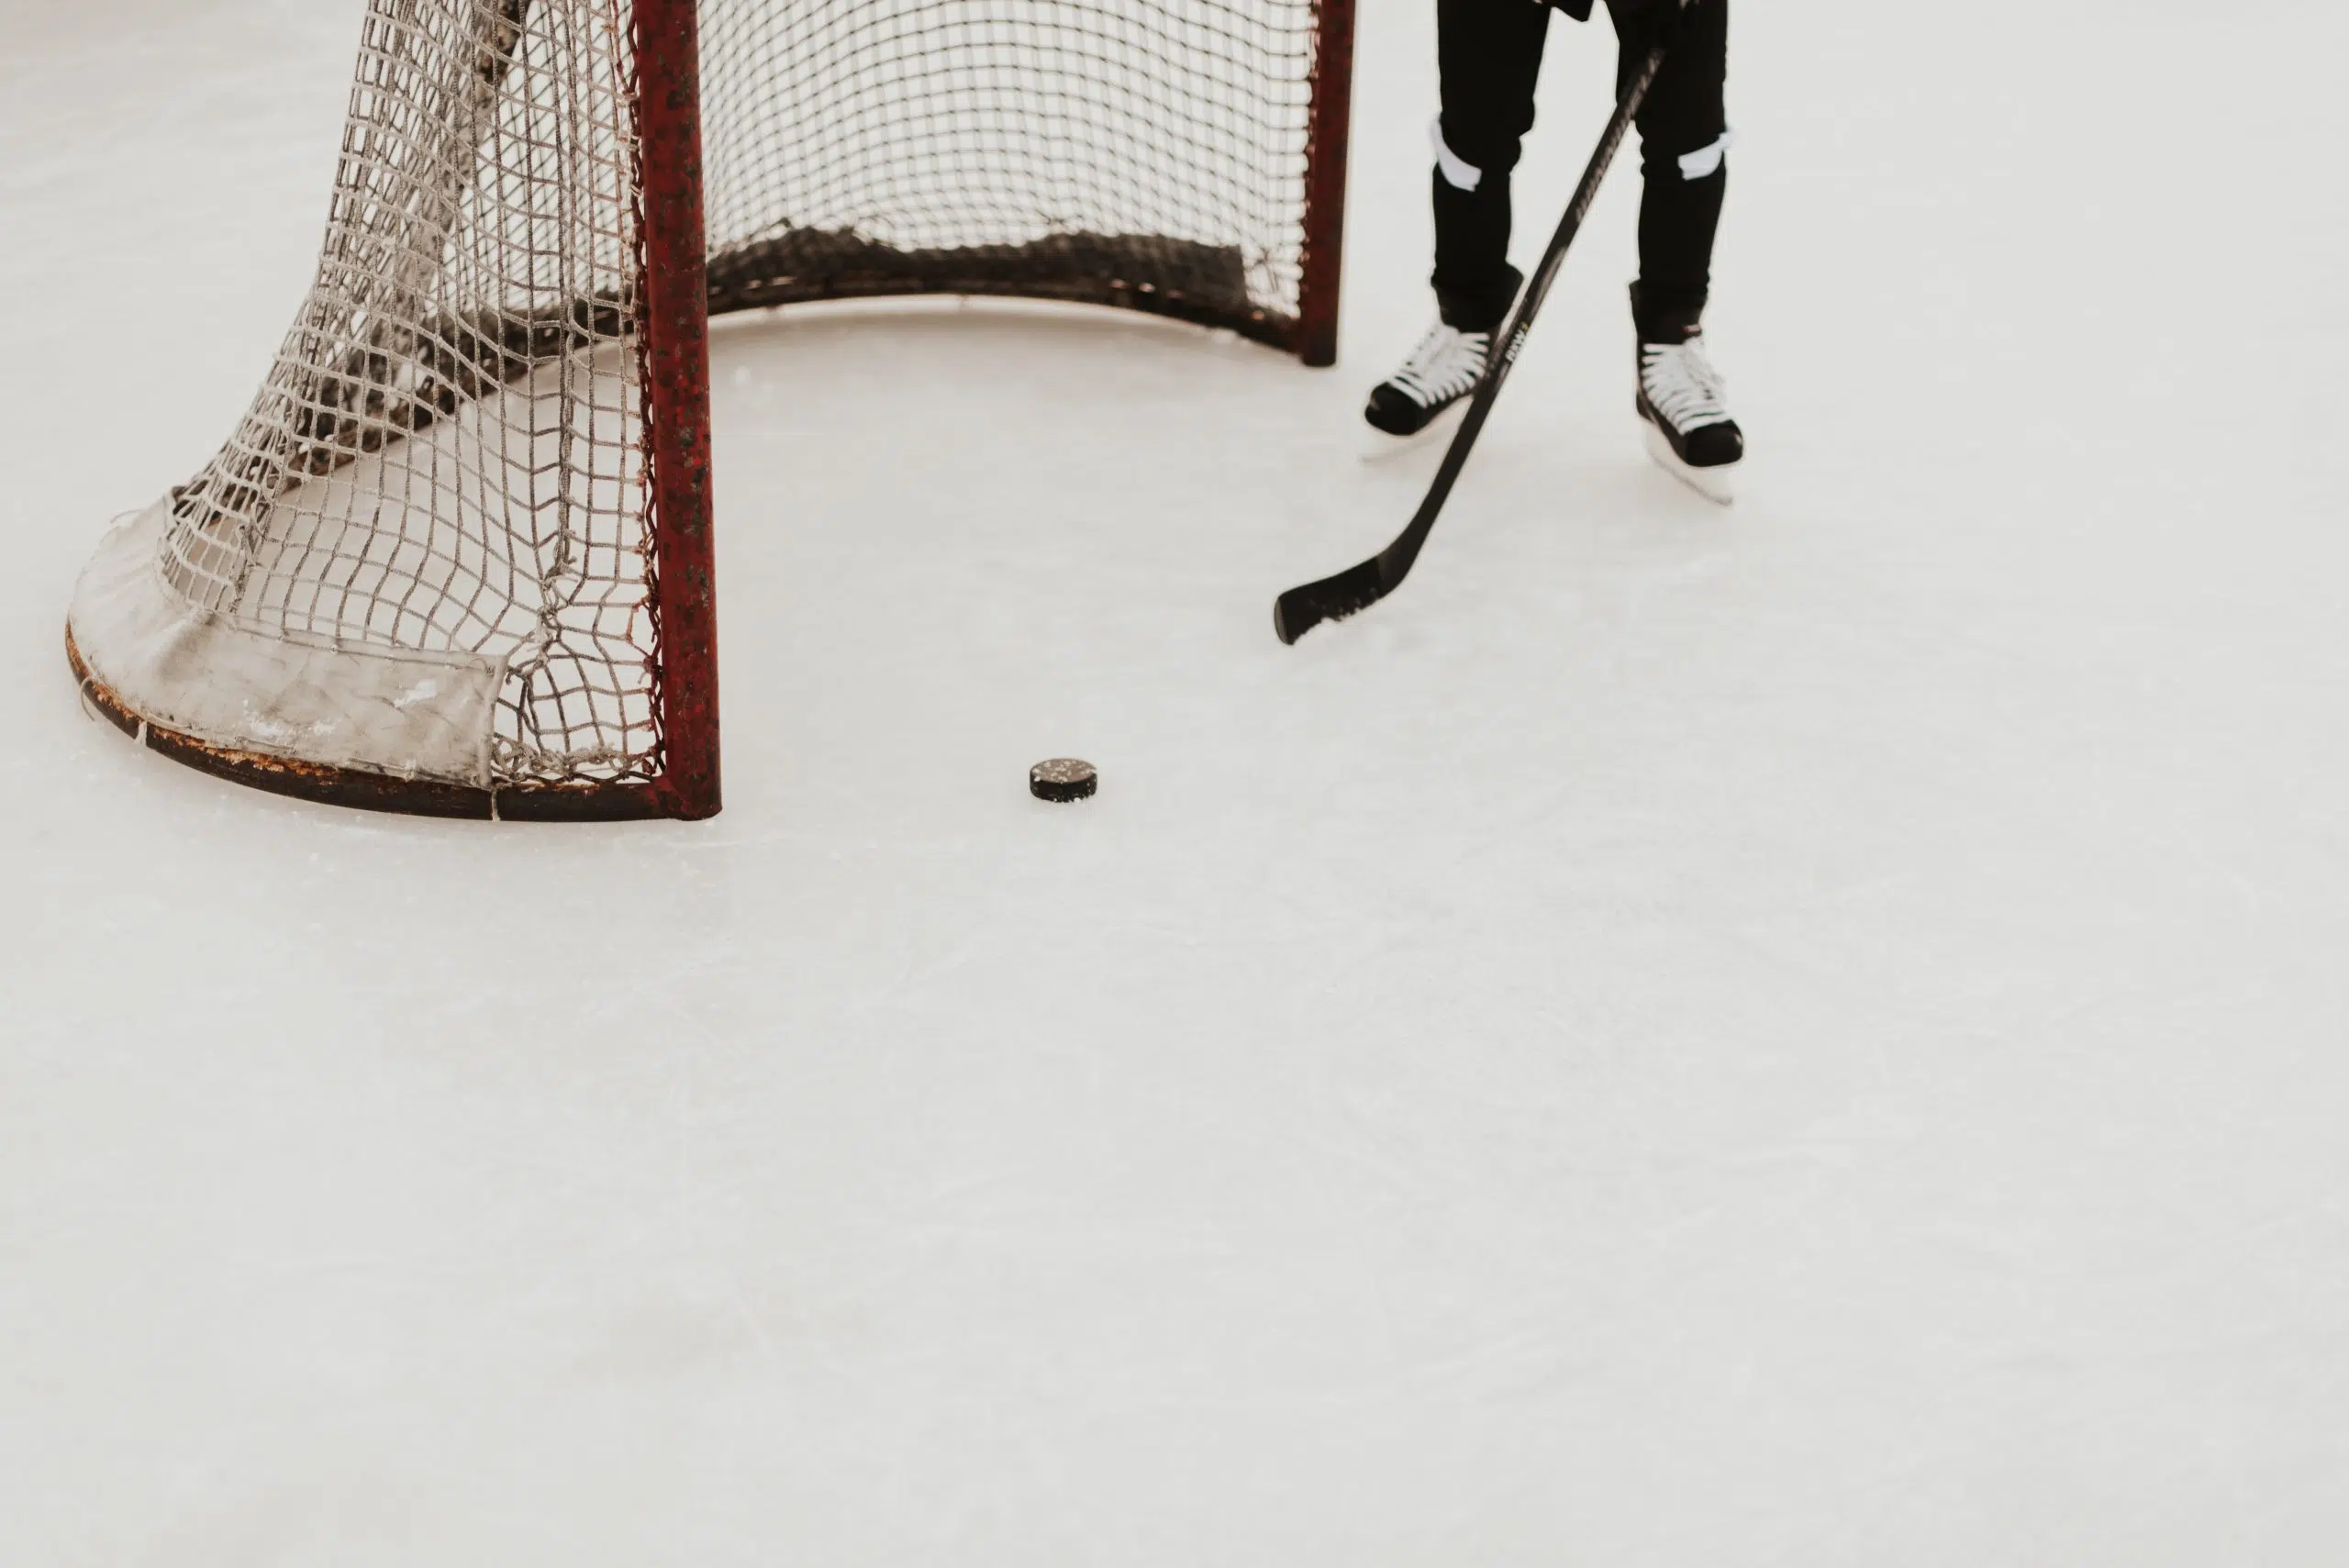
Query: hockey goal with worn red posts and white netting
x=438 y=567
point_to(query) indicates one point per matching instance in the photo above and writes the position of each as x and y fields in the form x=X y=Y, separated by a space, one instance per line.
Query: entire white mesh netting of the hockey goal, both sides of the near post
x=450 y=452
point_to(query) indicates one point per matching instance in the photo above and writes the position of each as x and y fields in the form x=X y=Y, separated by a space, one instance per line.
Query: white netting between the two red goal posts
x=971 y=142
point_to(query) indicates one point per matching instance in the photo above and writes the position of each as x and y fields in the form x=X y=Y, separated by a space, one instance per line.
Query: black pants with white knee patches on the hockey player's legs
x=1490 y=58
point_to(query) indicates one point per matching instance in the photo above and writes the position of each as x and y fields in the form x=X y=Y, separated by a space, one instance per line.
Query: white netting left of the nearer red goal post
x=447 y=452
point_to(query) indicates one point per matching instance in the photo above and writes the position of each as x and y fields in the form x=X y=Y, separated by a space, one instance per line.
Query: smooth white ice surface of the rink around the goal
x=1803 y=1036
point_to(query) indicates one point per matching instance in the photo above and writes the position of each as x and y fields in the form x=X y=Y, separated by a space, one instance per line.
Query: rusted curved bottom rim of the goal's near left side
x=377 y=792
